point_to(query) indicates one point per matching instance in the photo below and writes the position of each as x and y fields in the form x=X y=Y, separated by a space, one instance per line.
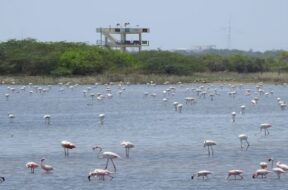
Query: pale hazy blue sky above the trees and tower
x=257 y=25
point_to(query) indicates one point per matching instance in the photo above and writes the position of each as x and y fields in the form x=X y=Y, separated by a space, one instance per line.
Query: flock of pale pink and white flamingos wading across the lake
x=201 y=92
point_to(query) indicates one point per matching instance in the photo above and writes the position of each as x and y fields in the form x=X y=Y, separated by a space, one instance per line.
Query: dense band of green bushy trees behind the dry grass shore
x=30 y=57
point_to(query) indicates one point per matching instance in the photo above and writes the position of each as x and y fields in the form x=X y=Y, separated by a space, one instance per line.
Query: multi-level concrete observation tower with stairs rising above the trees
x=117 y=37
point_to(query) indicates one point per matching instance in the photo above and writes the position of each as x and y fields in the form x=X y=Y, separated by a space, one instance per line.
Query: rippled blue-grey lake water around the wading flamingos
x=168 y=144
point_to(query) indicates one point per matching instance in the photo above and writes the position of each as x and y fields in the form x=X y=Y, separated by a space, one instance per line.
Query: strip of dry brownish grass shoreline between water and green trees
x=221 y=77
